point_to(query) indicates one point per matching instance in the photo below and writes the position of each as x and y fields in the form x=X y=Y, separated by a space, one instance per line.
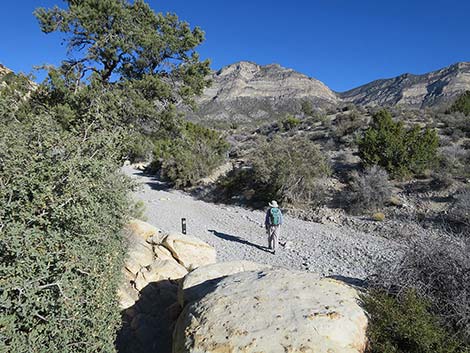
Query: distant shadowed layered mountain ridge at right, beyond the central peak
x=437 y=88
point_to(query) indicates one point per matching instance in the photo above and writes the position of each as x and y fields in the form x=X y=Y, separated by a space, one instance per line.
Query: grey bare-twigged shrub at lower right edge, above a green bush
x=438 y=269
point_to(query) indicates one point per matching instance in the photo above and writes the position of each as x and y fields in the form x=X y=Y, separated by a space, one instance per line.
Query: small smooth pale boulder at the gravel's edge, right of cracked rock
x=189 y=251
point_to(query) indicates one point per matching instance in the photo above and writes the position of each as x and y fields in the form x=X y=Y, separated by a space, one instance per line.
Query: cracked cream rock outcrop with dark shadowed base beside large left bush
x=148 y=294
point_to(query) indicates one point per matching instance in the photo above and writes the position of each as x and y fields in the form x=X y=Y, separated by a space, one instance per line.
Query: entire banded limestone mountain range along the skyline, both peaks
x=247 y=92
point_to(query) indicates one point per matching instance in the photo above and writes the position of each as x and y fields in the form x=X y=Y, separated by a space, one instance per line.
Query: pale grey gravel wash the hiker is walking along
x=238 y=234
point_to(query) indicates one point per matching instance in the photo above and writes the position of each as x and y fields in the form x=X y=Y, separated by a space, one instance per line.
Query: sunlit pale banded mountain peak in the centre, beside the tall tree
x=246 y=91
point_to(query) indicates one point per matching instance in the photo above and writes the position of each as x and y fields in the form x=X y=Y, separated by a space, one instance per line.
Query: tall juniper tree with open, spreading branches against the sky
x=147 y=58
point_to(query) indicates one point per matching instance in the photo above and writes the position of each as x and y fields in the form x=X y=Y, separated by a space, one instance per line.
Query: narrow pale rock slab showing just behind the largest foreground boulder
x=202 y=280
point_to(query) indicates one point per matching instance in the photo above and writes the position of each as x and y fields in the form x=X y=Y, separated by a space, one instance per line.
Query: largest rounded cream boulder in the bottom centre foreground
x=273 y=311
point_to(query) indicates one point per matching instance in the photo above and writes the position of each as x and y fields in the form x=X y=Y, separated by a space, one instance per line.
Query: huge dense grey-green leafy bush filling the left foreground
x=62 y=206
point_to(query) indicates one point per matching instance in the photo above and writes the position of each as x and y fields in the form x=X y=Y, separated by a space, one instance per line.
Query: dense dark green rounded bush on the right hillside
x=401 y=151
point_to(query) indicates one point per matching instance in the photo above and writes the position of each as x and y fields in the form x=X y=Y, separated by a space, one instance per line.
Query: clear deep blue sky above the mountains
x=344 y=43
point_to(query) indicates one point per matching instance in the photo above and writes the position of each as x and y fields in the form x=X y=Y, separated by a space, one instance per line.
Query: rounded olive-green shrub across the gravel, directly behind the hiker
x=287 y=170
